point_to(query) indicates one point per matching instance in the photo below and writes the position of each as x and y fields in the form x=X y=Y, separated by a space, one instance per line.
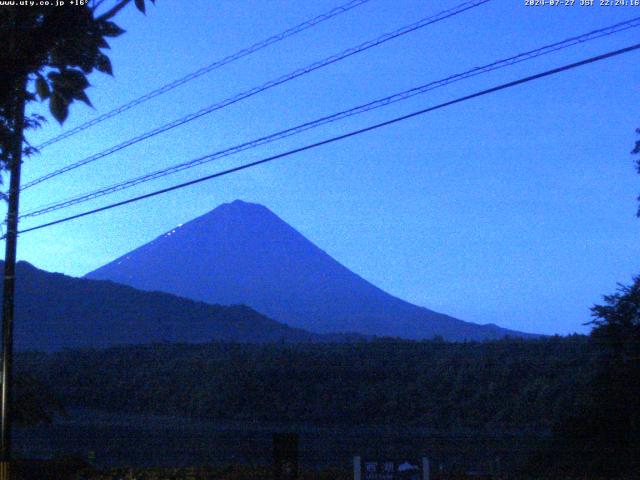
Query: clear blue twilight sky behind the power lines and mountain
x=516 y=208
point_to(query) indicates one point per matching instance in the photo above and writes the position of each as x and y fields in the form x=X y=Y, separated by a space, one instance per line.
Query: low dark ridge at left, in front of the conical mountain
x=54 y=311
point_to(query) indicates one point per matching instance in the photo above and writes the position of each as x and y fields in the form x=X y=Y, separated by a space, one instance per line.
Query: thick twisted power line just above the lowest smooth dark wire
x=617 y=28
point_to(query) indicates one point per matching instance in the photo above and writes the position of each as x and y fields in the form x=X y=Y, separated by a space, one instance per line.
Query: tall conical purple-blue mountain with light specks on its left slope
x=242 y=253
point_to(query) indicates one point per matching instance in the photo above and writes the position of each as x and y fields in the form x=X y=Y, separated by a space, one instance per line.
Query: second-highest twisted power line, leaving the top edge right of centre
x=266 y=86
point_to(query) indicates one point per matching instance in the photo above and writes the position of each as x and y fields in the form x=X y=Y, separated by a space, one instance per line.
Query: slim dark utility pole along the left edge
x=11 y=238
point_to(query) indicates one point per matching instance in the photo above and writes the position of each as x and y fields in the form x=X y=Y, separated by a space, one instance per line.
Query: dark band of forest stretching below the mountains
x=519 y=385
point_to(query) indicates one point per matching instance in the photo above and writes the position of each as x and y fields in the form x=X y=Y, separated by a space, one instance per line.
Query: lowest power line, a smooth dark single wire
x=343 y=136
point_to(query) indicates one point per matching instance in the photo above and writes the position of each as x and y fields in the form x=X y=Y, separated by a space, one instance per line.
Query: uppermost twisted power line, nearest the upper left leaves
x=209 y=68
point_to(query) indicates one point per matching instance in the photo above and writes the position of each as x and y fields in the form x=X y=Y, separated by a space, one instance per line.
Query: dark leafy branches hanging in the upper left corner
x=47 y=52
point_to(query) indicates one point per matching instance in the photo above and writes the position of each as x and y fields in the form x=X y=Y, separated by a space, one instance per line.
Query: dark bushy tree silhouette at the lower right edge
x=602 y=436
